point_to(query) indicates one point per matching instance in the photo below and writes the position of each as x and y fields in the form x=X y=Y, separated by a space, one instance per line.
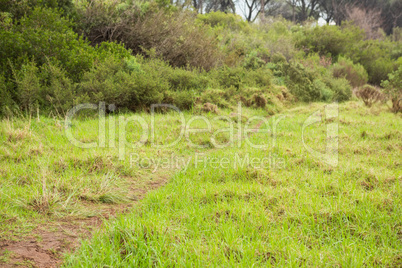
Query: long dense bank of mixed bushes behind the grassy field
x=140 y=53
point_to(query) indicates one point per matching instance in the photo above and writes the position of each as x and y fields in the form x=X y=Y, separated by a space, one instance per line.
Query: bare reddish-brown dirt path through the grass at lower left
x=48 y=242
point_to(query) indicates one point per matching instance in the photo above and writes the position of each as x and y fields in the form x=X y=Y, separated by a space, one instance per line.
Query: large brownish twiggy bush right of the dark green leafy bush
x=148 y=30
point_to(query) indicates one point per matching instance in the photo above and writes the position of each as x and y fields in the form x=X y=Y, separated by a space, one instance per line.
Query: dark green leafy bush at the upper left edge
x=44 y=35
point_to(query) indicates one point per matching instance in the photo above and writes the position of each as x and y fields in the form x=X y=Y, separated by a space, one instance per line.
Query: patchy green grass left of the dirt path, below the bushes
x=44 y=178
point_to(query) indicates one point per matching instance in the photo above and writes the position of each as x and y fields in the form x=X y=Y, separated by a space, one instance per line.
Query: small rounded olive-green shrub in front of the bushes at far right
x=354 y=73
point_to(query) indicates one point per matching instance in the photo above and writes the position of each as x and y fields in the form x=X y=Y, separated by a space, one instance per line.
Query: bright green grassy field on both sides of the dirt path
x=233 y=206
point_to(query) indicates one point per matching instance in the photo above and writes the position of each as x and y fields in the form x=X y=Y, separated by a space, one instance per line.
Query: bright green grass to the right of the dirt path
x=303 y=214
